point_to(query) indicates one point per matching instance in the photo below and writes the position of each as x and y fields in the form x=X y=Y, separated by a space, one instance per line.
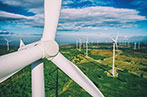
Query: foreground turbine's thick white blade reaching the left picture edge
x=13 y=62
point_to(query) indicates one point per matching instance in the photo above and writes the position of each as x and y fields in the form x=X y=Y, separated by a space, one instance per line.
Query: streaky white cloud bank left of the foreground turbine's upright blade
x=36 y=20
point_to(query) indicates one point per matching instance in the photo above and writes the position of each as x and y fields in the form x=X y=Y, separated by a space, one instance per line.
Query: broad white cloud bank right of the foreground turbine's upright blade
x=93 y=17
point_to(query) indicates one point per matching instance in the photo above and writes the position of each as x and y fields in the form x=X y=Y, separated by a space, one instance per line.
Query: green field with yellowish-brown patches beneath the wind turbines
x=131 y=66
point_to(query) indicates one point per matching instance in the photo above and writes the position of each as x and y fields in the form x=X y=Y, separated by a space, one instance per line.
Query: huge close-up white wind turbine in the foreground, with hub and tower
x=45 y=48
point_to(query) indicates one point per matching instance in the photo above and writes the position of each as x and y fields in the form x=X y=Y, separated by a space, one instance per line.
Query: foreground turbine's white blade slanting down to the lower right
x=76 y=74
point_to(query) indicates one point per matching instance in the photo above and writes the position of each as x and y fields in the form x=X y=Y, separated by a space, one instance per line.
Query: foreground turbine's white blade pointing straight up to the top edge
x=51 y=13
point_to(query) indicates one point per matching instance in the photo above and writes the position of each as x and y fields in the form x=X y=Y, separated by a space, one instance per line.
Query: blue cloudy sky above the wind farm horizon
x=99 y=20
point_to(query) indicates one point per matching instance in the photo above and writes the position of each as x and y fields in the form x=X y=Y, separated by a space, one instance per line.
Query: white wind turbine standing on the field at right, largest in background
x=114 y=44
